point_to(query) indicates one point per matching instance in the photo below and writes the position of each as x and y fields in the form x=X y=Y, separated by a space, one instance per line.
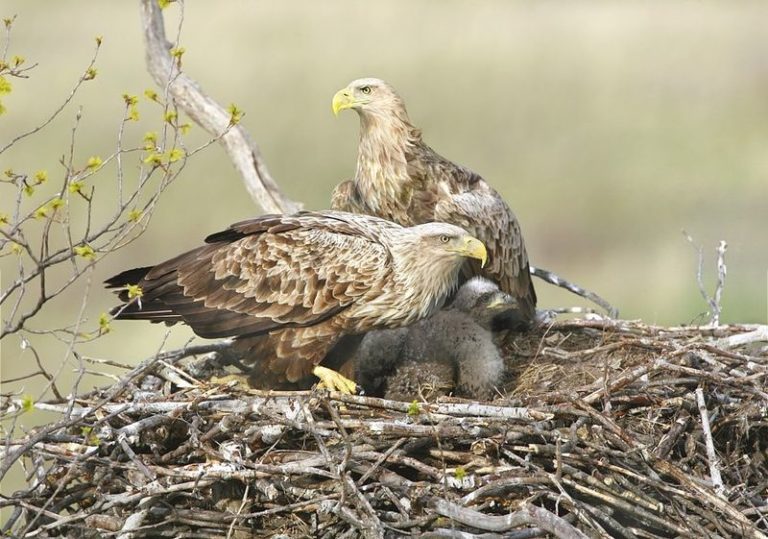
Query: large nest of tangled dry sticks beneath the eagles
x=606 y=429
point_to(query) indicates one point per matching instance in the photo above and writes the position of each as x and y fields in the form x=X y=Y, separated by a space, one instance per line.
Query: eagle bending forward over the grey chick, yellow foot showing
x=290 y=288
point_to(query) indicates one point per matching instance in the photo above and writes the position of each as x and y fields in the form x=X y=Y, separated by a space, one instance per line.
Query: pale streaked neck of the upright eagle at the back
x=386 y=141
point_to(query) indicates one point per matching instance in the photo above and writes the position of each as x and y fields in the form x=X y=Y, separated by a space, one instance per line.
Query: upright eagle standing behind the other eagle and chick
x=400 y=178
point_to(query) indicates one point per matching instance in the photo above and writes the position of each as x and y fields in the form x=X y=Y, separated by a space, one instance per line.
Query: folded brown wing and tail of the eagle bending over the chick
x=263 y=275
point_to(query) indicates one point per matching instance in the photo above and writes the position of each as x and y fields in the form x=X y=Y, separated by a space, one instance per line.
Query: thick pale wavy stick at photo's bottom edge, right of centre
x=527 y=515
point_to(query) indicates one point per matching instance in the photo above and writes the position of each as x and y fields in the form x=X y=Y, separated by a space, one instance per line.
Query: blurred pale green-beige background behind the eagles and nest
x=608 y=127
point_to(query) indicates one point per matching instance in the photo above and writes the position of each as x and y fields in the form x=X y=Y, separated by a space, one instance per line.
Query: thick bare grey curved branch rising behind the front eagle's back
x=211 y=116
